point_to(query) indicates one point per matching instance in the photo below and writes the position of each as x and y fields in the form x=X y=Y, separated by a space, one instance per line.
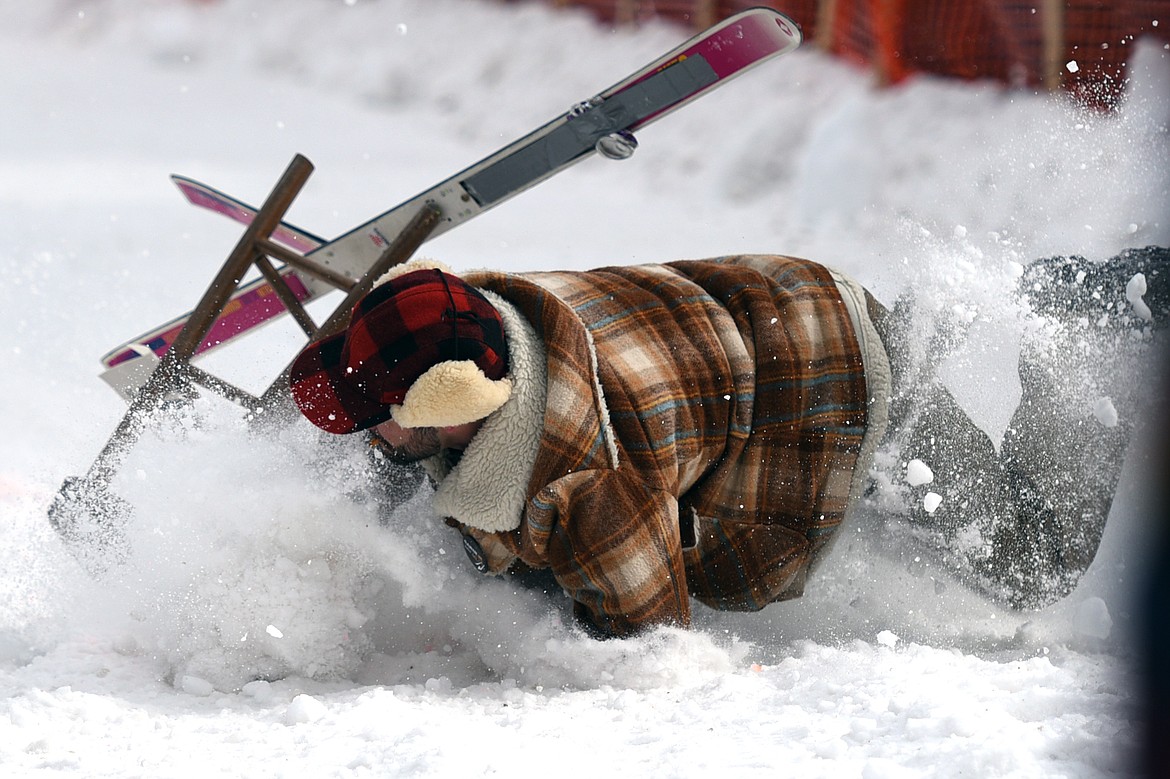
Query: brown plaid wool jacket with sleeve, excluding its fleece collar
x=703 y=425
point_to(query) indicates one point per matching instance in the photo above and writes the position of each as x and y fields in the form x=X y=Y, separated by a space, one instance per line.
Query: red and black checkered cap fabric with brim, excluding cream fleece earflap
x=400 y=330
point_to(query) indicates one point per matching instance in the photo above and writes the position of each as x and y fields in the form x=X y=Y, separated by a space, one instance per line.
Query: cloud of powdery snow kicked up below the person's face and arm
x=259 y=557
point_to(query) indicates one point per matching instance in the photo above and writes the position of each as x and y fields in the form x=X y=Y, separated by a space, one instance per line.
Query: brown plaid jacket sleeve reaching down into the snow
x=614 y=544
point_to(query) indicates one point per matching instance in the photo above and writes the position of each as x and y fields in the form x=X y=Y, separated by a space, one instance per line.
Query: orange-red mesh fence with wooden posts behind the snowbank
x=1082 y=46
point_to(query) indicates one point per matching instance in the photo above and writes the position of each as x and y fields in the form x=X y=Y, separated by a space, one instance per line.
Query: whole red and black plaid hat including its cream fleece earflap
x=423 y=348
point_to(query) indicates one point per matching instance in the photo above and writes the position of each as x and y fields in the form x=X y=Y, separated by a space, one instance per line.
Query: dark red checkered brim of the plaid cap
x=326 y=396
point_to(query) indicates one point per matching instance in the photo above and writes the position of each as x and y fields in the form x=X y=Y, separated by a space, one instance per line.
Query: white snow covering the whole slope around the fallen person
x=266 y=625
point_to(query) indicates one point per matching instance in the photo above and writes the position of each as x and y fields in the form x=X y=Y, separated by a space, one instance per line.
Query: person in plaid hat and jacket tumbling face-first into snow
x=701 y=430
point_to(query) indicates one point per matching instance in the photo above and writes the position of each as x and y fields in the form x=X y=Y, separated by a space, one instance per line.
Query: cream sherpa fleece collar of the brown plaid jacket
x=487 y=488
